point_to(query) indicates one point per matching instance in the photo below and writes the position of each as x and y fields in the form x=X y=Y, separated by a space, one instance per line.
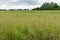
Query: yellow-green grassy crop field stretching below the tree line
x=30 y=25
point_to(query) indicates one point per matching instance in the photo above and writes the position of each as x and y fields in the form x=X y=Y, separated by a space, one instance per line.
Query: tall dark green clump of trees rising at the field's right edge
x=48 y=6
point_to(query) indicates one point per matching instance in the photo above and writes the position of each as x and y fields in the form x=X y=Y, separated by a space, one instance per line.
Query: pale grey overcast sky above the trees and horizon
x=22 y=4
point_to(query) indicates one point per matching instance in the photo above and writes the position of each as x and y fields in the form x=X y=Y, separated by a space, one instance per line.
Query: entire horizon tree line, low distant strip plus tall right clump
x=44 y=6
